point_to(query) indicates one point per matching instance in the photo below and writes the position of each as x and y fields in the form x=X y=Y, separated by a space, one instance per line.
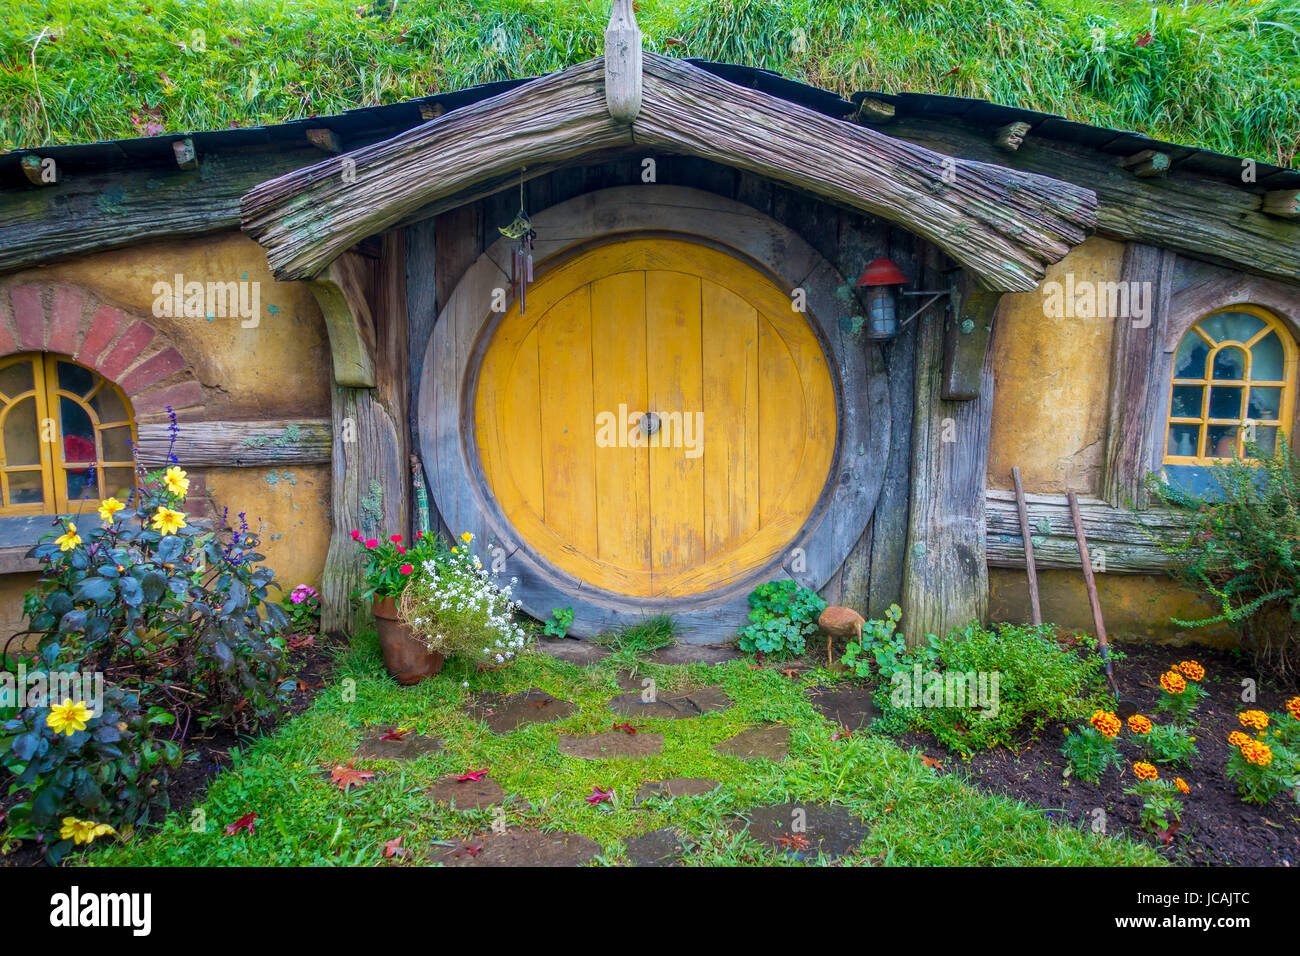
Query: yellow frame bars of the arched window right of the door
x=1286 y=410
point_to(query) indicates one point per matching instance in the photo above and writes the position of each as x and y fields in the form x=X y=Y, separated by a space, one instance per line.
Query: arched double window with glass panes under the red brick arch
x=67 y=436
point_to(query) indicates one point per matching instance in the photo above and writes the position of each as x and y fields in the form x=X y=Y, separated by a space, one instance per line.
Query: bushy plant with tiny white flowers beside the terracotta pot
x=458 y=609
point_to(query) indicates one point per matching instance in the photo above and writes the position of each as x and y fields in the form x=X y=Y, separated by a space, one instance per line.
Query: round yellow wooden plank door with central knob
x=661 y=422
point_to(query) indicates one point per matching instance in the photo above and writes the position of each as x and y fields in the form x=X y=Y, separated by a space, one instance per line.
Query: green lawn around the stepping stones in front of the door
x=917 y=816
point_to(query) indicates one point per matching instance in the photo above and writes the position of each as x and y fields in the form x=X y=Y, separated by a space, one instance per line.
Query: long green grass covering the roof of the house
x=1223 y=76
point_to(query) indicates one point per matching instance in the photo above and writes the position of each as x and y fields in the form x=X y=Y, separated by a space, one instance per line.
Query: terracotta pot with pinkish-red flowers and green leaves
x=389 y=569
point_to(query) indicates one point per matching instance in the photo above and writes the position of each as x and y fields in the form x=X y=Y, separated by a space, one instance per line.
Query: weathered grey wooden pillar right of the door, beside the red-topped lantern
x=946 y=578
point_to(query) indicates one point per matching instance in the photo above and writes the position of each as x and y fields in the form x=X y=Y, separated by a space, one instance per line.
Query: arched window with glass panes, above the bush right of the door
x=1233 y=387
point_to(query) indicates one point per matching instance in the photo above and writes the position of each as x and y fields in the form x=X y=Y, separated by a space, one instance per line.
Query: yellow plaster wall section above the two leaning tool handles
x=1052 y=383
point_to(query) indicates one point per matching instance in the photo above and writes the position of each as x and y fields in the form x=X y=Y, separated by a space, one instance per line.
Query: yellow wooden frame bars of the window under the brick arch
x=53 y=466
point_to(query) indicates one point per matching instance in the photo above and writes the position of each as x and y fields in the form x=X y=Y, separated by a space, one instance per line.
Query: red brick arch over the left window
x=127 y=351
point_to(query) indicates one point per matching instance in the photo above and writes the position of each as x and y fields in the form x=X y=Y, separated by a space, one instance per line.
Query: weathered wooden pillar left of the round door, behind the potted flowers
x=365 y=306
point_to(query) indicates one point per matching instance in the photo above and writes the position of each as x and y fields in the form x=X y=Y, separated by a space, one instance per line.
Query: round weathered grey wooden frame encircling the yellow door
x=465 y=328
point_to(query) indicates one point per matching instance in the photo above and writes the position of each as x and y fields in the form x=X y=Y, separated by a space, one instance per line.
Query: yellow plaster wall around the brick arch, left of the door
x=279 y=370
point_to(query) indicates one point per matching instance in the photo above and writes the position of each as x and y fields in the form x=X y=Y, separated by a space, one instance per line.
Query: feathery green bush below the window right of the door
x=1241 y=552
